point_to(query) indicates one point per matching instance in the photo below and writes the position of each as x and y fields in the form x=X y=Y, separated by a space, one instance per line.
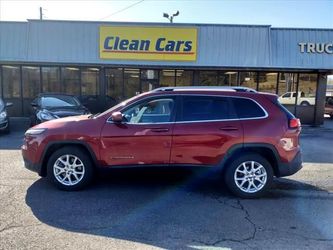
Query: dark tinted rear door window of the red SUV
x=201 y=108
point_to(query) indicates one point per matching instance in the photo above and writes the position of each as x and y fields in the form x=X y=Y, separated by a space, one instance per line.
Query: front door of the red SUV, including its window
x=144 y=136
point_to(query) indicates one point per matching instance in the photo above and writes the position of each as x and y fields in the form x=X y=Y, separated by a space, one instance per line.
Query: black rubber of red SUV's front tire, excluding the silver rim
x=88 y=167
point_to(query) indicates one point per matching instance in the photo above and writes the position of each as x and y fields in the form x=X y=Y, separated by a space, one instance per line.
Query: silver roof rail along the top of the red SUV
x=222 y=88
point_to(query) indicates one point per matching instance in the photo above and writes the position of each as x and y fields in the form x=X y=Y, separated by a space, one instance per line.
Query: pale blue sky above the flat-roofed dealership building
x=282 y=13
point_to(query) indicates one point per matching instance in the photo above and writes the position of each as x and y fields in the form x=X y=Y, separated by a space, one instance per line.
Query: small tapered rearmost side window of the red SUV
x=247 y=108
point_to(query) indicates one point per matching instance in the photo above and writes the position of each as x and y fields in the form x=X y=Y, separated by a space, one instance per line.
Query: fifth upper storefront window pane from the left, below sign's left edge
x=89 y=81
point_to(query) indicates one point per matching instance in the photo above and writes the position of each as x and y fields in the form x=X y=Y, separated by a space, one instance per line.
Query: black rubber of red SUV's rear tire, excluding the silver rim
x=231 y=168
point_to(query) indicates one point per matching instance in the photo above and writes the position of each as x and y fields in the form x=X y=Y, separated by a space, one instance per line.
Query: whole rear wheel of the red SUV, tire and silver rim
x=256 y=183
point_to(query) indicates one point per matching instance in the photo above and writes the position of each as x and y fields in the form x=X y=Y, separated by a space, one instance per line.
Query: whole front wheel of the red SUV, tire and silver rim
x=64 y=175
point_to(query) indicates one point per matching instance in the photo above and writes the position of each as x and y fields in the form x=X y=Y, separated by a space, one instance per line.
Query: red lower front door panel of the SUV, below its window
x=135 y=144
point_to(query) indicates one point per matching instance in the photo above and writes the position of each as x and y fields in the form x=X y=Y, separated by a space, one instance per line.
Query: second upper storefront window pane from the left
x=31 y=81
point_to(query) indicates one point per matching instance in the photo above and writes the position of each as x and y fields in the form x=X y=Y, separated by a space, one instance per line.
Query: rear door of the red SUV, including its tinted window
x=206 y=126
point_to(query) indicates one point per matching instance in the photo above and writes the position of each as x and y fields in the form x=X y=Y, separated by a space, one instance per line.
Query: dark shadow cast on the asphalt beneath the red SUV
x=168 y=208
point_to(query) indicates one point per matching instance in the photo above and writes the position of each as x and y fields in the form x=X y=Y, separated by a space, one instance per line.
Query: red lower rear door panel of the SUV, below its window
x=204 y=143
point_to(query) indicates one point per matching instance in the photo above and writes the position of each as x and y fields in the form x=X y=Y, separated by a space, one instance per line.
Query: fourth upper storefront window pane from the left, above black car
x=71 y=80
